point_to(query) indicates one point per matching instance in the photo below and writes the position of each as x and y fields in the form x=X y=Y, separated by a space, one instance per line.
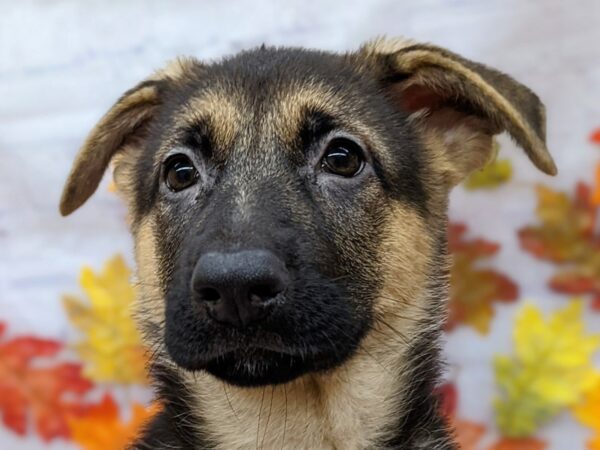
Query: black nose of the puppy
x=237 y=287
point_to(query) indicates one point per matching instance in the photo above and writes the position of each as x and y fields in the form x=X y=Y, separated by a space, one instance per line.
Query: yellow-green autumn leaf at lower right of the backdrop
x=550 y=370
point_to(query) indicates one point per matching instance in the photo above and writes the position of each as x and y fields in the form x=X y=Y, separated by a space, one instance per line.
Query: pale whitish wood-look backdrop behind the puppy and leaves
x=63 y=63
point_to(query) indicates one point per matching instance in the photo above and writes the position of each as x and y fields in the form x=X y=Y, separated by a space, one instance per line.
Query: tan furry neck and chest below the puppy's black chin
x=351 y=407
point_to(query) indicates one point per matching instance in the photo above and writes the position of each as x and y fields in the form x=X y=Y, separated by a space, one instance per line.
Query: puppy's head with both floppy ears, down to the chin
x=285 y=202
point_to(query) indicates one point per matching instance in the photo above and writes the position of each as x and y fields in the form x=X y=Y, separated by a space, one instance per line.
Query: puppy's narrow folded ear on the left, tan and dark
x=126 y=120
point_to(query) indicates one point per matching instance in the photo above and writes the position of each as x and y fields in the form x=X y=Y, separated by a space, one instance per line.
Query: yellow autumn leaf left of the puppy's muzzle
x=110 y=346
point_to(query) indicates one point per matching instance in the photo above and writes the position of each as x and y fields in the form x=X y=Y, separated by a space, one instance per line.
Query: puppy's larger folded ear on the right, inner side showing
x=458 y=105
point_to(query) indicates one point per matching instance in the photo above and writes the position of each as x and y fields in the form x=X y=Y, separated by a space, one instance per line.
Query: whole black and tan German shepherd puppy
x=288 y=208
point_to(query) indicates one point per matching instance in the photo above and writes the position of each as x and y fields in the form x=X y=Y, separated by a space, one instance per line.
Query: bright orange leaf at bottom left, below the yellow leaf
x=101 y=428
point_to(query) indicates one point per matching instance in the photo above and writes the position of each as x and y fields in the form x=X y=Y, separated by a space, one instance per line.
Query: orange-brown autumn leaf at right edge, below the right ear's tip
x=567 y=236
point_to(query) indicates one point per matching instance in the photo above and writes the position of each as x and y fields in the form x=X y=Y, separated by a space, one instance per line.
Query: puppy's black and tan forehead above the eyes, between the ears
x=269 y=94
